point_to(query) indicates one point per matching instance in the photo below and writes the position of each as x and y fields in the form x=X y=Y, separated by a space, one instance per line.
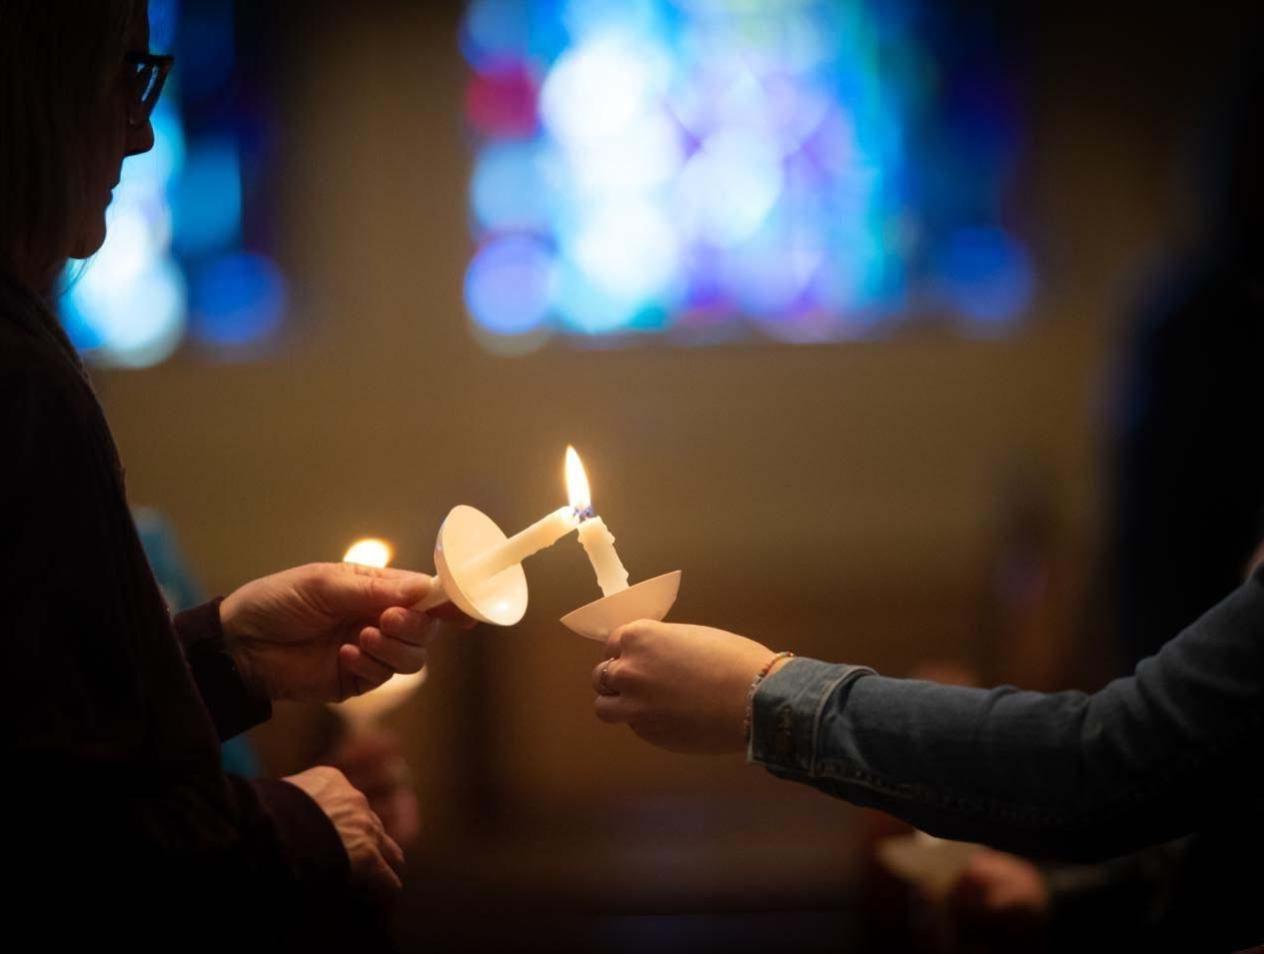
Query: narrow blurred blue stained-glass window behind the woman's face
x=174 y=263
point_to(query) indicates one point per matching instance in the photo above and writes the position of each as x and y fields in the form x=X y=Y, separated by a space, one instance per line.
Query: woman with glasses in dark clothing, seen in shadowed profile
x=117 y=812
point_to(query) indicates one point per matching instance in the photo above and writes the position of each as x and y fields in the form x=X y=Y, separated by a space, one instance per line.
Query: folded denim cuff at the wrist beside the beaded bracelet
x=786 y=713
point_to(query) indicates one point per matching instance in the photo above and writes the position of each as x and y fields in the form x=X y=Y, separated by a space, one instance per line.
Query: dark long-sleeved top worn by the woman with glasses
x=113 y=716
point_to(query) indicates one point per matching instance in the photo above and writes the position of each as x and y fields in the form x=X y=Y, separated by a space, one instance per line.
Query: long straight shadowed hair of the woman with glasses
x=58 y=60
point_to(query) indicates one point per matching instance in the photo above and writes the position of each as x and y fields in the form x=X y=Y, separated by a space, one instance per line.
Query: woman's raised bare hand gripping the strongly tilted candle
x=324 y=632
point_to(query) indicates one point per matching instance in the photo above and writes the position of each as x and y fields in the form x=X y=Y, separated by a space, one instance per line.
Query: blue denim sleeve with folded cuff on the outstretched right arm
x=1148 y=759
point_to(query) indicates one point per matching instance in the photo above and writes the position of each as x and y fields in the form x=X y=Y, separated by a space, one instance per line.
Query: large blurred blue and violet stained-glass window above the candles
x=808 y=172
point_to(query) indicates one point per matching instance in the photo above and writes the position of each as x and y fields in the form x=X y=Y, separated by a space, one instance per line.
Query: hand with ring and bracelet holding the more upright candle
x=682 y=688
